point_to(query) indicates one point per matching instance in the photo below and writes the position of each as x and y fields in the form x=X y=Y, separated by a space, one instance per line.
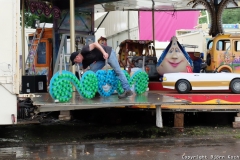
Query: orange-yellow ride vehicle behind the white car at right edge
x=223 y=53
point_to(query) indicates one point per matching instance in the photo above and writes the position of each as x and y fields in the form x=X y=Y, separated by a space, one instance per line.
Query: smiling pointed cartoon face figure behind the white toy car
x=174 y=61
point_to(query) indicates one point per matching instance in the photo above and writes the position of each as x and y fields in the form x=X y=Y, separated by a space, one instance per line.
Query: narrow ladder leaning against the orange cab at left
x=30 y=68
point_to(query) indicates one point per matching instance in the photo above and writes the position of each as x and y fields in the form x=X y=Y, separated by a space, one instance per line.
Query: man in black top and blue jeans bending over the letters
x=94 y=56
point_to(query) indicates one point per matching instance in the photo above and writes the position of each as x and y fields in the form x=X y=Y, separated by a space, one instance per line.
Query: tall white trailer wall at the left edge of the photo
x=9 y=60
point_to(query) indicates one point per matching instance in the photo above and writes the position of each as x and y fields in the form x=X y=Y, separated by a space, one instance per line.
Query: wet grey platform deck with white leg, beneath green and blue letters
x=45 y=103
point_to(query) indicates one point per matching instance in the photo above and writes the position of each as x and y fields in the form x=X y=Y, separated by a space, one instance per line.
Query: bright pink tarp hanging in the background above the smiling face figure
x=166 y=24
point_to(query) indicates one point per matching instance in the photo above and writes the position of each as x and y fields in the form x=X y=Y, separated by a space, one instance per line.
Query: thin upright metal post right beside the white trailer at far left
x=23 y=39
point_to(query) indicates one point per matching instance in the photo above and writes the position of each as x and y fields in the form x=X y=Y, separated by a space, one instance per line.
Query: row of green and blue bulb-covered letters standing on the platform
x=62 y=83
